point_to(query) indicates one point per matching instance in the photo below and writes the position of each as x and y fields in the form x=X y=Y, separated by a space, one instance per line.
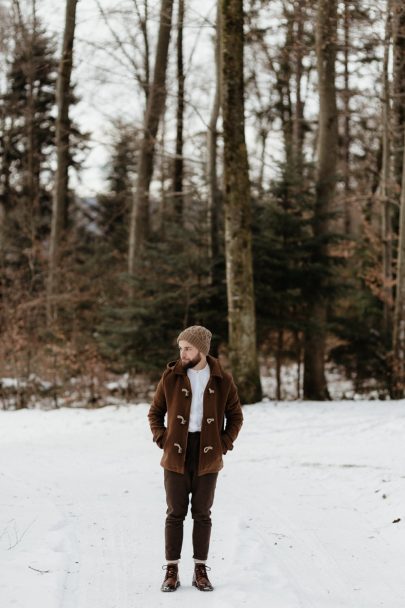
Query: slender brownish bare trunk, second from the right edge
x=385 y=181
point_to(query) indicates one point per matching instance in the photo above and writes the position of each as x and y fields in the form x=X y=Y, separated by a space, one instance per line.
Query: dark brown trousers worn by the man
x=178 y=487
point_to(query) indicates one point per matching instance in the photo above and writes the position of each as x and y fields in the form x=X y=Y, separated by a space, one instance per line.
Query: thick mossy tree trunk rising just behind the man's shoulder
x=238 y=238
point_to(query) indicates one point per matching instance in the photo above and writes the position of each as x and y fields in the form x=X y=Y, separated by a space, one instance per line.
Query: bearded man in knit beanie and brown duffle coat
x=204 y=417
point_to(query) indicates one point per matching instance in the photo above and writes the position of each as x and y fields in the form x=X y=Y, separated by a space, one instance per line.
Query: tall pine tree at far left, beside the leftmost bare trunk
x=28 y=132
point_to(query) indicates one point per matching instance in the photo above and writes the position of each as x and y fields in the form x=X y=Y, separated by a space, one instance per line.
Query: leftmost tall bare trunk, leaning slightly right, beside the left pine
x=60 y=194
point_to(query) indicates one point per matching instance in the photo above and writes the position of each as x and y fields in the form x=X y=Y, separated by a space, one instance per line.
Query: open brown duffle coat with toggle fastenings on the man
x=222 y=417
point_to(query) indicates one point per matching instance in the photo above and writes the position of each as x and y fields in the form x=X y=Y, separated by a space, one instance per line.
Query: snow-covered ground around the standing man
x=303 y=515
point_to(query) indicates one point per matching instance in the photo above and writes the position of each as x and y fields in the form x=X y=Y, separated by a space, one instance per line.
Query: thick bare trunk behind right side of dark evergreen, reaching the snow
x=315 y=386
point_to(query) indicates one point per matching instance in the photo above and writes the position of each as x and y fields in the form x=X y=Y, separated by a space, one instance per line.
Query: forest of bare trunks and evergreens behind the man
x=254 y=184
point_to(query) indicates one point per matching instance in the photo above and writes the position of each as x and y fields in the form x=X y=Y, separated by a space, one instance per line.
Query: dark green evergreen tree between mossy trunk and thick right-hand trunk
x=282 y=247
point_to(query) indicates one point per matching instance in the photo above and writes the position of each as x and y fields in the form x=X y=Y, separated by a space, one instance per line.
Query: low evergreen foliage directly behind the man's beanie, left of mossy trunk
x=172 y=291
